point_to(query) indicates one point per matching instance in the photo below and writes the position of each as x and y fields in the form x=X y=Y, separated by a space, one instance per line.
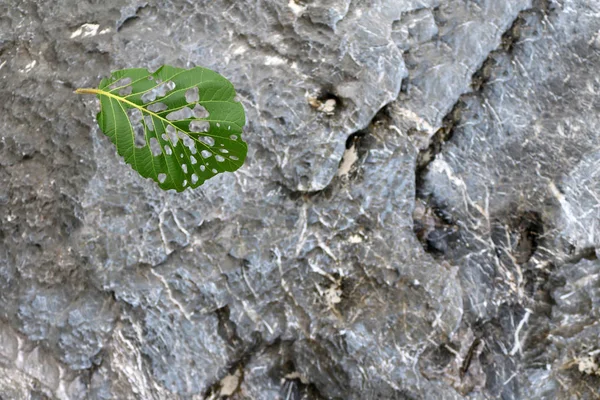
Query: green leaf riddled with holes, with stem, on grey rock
x=177 y=126
